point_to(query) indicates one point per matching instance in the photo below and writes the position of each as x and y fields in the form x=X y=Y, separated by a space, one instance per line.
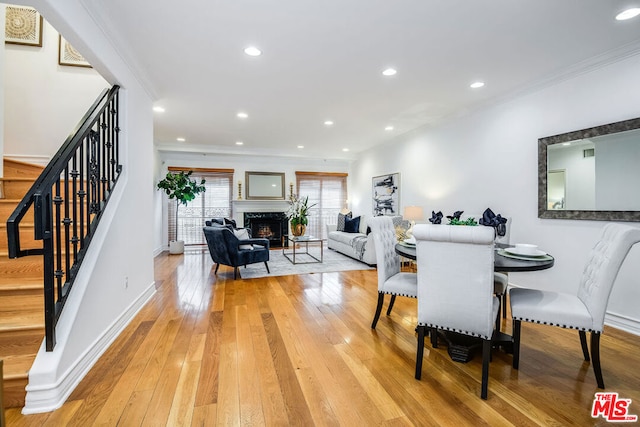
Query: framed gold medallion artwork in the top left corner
x=23 y=26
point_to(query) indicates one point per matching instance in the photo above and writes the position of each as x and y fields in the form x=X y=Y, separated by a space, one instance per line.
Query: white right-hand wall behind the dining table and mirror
x=488 y=158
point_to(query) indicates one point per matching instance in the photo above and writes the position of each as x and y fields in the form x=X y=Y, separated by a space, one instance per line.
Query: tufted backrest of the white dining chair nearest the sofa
x=384 y=235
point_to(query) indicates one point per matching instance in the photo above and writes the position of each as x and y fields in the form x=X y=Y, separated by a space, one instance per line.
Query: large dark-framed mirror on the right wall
x=591 y=173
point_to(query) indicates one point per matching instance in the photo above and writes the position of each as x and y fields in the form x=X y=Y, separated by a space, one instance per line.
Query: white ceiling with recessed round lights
x=323 y=60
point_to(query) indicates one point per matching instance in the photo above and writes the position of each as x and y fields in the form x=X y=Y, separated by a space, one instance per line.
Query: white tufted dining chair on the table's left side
x=390 y=279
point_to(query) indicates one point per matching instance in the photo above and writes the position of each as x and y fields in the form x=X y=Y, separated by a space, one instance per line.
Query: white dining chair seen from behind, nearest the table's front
x=455 y=286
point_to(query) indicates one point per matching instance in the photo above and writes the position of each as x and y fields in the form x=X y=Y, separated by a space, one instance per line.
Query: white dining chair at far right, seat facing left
x=584 y=311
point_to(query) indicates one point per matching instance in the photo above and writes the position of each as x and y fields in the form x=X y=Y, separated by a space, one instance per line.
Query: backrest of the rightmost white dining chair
x=602 y=268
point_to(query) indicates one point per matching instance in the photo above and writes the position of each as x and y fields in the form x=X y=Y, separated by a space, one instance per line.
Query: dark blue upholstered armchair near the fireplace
x=226 y=248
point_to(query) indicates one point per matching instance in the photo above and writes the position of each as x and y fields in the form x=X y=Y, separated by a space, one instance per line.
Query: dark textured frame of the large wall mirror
x=543 y=143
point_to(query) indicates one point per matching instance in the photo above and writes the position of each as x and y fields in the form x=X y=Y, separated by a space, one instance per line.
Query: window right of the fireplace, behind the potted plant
x=329 y=192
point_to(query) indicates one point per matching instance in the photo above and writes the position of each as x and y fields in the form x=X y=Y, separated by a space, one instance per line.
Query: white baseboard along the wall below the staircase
x=49 y=397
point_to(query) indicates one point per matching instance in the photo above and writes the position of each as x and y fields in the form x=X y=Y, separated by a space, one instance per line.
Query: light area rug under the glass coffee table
x=281 y=266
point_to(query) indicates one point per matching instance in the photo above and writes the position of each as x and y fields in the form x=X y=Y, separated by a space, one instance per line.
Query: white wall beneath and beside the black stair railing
x=116 y=278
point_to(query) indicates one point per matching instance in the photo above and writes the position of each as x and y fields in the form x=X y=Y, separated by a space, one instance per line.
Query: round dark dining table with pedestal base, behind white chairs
x=462 y=347
